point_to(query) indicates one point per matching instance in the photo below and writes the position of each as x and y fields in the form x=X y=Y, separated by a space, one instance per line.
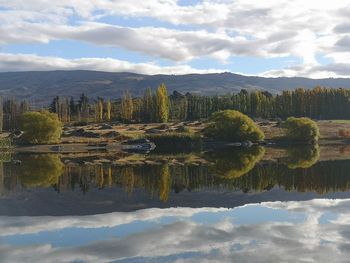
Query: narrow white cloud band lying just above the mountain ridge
x=28 y=62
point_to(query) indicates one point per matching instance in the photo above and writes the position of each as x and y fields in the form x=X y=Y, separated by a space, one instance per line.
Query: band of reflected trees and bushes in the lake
x=243 y=170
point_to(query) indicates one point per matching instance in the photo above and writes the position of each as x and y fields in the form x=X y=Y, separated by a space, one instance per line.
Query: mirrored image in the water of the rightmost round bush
x=303 y=156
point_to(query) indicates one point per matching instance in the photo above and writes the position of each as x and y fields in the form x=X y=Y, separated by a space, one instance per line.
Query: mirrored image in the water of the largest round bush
x=233 y=163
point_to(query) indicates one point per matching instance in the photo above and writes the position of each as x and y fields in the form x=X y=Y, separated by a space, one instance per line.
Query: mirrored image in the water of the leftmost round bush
x=40 y=170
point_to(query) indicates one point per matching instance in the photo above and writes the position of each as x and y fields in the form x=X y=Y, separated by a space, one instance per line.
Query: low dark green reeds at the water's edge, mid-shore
x=176 y=142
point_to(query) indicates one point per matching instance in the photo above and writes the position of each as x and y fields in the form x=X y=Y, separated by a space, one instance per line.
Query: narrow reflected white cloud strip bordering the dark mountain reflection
x=28 y=225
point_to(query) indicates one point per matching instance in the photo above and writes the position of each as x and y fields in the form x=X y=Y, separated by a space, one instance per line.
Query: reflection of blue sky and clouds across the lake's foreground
x=314 y=229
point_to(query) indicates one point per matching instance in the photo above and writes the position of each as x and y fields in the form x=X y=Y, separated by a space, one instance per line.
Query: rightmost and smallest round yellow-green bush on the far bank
x=302 y=130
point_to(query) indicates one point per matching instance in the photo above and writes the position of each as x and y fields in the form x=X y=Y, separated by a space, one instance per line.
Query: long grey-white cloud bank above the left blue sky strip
x=165 y=43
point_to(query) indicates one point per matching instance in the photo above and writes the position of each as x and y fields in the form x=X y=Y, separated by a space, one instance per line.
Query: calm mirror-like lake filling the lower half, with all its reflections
x=231 y=205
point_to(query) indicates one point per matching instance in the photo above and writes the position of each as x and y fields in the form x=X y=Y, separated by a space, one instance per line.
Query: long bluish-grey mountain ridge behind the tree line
x=44 y=85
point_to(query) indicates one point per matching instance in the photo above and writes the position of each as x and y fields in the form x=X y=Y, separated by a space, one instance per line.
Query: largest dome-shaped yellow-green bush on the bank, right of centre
x=234 y=126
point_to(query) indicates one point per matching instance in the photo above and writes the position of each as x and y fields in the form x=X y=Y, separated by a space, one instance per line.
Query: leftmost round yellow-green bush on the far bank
x=41 y=127
